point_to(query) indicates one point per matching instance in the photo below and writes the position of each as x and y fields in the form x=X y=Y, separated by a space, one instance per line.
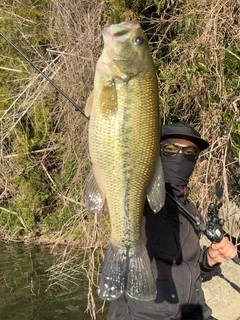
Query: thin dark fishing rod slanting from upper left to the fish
x=44 y=75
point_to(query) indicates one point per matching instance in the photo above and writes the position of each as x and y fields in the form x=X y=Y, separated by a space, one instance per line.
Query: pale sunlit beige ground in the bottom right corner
x=222 y=291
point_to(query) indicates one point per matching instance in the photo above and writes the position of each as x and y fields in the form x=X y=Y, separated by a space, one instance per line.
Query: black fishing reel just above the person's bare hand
x=214 y=226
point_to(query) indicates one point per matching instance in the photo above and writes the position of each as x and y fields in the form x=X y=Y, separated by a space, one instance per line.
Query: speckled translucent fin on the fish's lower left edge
x=94 y=198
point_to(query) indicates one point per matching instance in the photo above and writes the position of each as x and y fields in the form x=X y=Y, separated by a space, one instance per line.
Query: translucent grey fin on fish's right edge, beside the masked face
x=156 y=190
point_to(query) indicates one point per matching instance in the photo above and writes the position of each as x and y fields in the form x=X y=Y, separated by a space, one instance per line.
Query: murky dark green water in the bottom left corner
x=24 y=287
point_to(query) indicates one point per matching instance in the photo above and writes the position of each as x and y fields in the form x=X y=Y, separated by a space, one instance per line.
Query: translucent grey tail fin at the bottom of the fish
x=127 y=270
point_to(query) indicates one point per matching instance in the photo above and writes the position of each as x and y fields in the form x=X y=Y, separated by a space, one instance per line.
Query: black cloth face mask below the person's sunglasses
x=177 y=169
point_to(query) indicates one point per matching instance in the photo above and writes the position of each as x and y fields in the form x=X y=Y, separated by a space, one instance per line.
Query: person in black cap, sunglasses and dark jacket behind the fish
x=172 y=240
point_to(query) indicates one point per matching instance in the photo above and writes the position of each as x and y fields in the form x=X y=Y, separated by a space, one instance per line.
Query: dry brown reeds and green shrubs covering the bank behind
x=44 y=159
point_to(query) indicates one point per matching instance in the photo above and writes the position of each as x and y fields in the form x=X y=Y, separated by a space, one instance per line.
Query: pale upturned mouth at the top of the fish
x=120 y=32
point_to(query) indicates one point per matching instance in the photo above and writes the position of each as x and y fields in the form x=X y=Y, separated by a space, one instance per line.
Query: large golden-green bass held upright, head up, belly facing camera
x=123 y=137
